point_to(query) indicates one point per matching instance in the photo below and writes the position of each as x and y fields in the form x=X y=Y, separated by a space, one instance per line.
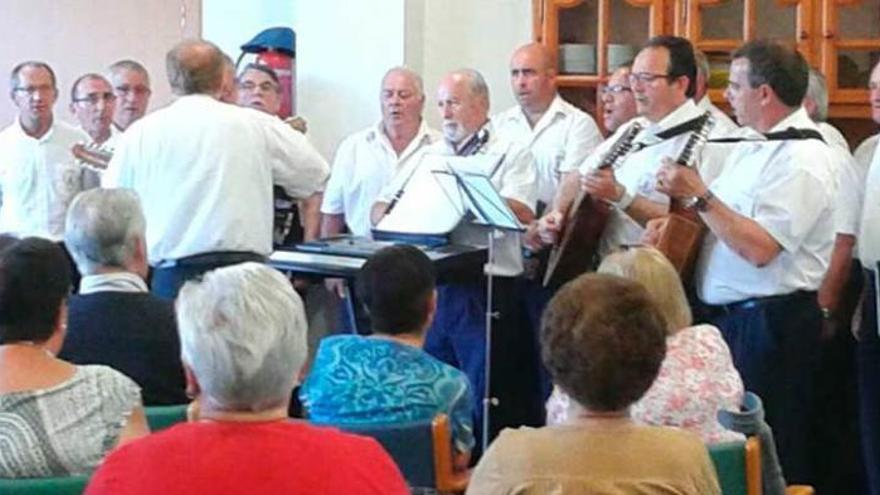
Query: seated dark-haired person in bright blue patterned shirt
x=386 y=377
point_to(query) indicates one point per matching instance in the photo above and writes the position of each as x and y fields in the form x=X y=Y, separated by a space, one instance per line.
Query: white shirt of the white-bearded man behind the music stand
x=515 y=179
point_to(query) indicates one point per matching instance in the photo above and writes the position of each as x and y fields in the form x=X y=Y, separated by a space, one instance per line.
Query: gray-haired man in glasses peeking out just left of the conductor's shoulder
x=131 y=84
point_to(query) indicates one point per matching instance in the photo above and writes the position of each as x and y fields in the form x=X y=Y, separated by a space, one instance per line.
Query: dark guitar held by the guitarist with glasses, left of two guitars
x=585 y=222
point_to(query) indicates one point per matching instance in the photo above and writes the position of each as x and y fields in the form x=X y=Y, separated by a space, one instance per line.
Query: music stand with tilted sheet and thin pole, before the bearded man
x=490 y=211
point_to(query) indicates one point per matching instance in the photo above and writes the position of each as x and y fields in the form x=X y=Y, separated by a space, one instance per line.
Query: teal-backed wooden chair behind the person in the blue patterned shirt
x=422 y=451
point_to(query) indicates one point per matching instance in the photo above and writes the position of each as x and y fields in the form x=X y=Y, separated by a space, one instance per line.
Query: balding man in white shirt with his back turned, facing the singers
x=204 y=171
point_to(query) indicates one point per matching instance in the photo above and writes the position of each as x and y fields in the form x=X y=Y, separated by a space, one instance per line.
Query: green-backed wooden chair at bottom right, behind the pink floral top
x=738 y=465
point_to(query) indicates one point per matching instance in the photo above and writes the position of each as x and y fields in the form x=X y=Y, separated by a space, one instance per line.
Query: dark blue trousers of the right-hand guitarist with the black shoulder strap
x=775 y=347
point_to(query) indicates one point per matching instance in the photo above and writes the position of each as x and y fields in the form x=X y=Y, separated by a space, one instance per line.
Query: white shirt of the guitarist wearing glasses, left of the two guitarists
x=637 y=172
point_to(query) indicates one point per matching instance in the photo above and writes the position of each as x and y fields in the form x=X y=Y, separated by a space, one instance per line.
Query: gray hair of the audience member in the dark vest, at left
x=103 y=227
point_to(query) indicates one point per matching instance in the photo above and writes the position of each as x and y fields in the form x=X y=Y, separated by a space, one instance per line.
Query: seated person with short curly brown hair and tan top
x=603 y=341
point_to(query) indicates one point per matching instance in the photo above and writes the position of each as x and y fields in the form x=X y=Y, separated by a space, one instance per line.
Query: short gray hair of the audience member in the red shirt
x=243 y=334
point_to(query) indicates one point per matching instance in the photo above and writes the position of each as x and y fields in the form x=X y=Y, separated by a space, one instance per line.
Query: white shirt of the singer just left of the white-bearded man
x=365 y=162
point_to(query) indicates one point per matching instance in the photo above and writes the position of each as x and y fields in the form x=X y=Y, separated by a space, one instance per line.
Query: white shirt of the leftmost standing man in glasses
x=38 y=179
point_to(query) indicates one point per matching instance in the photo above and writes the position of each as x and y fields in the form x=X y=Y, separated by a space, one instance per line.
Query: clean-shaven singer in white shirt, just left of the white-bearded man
x=369 y=159
